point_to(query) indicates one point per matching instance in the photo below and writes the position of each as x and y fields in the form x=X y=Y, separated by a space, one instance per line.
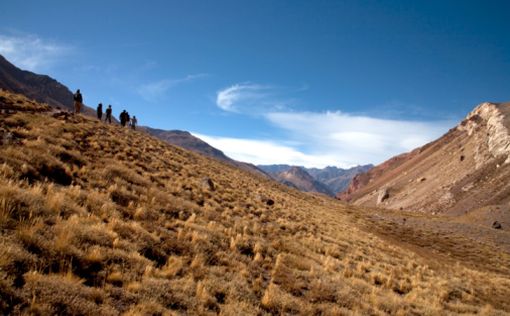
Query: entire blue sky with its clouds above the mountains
x=312 y=83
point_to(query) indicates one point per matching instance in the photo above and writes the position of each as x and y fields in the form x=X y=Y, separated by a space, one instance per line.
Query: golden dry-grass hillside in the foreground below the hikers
x=95 y=219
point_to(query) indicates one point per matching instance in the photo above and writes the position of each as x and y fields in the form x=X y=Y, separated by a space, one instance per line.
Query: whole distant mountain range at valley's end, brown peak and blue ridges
x=329 y=180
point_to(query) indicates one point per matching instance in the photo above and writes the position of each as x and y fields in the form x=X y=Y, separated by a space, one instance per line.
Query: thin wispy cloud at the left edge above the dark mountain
x=32 y=52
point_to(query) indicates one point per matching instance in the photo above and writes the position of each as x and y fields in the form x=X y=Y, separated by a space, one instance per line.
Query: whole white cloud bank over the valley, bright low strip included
x=331 y=139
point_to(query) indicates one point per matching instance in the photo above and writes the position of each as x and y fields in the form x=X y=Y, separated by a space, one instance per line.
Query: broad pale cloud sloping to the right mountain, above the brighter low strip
x=356 y=139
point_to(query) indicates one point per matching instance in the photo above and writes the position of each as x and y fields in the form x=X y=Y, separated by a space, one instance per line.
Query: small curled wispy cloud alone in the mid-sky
x=250 y=98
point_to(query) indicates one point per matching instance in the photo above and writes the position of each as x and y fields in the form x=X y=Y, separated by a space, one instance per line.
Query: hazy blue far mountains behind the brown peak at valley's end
x=332 y=178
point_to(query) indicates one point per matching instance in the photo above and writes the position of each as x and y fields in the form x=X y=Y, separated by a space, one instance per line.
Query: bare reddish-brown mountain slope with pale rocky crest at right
x=465 y=170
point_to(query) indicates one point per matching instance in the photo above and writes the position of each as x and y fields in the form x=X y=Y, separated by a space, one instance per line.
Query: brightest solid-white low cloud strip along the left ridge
x=263 y=152
